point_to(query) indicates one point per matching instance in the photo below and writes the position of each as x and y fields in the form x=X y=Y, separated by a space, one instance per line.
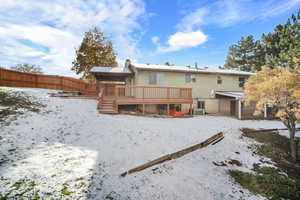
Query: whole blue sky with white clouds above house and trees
x=46 y=32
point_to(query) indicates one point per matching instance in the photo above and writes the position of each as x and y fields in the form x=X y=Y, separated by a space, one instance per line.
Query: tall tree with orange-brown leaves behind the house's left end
x=95 y=50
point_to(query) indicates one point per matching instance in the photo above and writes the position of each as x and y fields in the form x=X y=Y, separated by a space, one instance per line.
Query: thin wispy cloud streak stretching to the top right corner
x=226 y=13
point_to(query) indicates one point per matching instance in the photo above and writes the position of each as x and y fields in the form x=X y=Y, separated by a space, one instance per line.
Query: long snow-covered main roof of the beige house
x=189 y=69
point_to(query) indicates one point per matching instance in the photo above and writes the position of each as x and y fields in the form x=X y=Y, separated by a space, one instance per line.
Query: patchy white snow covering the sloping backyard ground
x=70 y=145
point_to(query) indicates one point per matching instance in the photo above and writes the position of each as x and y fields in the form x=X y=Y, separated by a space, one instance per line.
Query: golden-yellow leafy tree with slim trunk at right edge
x=278 y=87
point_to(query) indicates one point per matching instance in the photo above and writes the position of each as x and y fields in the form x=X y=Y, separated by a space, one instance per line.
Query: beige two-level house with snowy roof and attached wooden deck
x=190 y=89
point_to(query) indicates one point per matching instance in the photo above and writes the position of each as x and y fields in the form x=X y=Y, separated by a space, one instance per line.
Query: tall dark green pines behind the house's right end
x=277 y=48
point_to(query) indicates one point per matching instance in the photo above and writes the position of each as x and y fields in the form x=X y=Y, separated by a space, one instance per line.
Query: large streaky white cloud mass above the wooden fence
x=53 y=29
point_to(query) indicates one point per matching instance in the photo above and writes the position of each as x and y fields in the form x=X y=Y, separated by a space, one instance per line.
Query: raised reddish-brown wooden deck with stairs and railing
x=143 y=95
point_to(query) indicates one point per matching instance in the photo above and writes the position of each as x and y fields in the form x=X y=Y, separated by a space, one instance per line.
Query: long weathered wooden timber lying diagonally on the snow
x=176 y=154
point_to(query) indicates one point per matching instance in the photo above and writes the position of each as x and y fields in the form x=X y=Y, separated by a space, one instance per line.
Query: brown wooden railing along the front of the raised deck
x=152 y=92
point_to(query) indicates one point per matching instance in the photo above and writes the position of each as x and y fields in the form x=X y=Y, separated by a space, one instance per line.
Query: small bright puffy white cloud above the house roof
x=182 y=40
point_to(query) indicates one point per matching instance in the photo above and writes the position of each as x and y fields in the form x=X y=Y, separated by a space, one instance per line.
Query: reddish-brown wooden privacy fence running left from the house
x=14 y=78
